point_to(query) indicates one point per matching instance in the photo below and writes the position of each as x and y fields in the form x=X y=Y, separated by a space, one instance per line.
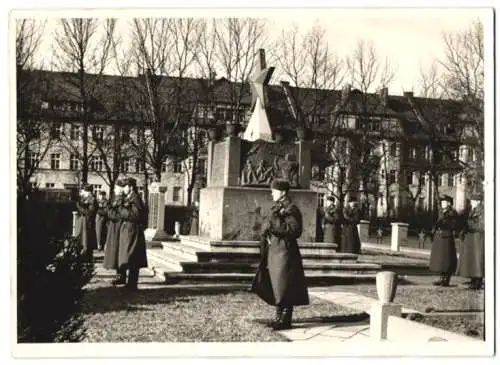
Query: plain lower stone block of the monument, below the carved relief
x=238 y=213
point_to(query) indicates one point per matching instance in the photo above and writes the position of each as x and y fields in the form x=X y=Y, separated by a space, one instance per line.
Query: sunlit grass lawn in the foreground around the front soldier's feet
x=159 y=313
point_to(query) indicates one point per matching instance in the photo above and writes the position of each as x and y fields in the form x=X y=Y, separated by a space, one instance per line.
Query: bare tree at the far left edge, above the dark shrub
x=33 y=137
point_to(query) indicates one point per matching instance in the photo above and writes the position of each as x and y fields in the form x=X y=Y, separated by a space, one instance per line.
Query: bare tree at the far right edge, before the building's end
x=456 y=117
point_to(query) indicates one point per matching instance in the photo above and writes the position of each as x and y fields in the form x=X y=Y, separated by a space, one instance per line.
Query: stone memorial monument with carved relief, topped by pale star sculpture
x=237 y=198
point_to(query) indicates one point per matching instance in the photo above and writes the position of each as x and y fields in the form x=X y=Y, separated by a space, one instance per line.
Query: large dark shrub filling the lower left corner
x=51 y=274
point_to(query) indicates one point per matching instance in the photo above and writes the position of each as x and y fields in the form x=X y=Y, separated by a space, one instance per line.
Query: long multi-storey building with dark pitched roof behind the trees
x=388 y=147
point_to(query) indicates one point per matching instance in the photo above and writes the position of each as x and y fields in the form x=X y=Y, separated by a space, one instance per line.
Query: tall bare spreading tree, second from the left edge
x=83 y=48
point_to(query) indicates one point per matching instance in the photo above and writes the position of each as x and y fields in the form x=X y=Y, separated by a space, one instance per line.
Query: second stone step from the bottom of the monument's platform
x=242 y=267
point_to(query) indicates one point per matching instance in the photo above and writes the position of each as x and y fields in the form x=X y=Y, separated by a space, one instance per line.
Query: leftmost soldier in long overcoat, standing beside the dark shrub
x=87 y=210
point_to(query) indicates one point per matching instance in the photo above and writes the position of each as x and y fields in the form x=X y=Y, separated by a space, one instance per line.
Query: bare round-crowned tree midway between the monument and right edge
x=365 y=136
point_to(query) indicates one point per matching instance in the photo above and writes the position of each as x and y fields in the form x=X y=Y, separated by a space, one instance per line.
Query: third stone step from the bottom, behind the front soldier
x=307 y=257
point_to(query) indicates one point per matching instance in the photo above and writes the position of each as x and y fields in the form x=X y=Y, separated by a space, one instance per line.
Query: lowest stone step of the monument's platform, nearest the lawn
x=312 y=279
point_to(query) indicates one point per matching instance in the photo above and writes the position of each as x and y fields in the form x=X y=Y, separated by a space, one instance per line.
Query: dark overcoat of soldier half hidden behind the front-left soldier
x=113 y=233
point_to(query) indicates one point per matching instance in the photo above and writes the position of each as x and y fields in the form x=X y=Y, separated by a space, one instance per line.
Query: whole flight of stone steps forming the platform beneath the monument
x=195 y=259
